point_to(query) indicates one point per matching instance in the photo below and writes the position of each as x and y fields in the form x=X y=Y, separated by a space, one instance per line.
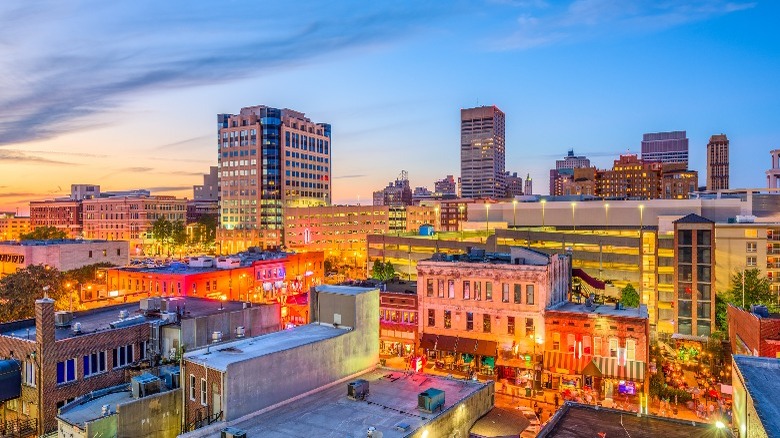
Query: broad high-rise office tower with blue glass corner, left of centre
x=270 y=158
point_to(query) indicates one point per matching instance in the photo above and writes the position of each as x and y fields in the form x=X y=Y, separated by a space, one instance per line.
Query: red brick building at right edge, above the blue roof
x=754 y=334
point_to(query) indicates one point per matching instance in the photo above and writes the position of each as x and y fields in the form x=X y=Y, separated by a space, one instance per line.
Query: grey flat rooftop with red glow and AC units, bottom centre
x=329 y=413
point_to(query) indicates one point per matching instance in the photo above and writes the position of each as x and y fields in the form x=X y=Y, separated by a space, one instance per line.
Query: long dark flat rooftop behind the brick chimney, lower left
x=96 y=320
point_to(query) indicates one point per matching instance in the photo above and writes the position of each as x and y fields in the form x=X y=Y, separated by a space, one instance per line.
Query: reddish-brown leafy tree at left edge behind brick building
x=18 y=291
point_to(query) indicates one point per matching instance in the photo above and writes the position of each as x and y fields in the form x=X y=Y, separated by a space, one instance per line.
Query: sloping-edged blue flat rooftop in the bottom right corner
x=762 y=380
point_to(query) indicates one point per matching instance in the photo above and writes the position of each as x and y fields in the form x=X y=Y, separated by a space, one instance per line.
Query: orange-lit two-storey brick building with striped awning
x=596 y=346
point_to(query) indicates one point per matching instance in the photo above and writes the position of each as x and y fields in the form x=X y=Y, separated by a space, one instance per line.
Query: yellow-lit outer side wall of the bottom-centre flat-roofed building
x=457 y=420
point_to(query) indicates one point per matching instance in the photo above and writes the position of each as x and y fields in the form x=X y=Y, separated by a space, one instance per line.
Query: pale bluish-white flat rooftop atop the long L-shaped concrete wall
x=221 y=356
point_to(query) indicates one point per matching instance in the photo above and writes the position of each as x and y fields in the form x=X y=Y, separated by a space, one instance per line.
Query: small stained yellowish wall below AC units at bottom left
x=155 y=416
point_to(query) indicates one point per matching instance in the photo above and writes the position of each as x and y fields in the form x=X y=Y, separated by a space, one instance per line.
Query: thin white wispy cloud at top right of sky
x=583 y=19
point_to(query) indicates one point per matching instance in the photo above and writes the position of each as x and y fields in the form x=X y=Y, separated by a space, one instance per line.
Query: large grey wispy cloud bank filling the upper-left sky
x=105 y=51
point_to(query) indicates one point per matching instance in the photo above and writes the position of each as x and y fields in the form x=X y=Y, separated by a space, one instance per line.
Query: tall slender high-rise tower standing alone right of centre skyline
x=482 y=152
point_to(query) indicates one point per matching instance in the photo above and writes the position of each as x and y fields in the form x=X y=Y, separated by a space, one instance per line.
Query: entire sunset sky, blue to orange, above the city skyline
x=125 y=94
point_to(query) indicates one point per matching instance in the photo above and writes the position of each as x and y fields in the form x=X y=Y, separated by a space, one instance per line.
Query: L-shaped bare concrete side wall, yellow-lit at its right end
x=286 y=374
